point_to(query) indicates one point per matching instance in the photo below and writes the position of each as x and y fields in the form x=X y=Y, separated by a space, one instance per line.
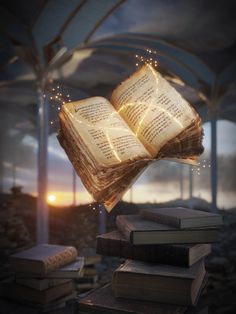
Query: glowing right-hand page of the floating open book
x=152 y=108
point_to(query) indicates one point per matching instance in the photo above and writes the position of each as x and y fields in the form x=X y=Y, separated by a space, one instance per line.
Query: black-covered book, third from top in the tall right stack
x=115 y=244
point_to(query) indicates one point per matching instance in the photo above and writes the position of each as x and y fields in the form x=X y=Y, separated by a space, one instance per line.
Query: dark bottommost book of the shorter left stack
x=18 y=292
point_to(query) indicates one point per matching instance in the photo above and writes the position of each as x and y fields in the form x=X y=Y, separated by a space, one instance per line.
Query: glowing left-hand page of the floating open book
x=104 y=132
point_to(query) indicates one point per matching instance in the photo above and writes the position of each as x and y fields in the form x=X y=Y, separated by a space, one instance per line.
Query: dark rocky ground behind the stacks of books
x=79 y=227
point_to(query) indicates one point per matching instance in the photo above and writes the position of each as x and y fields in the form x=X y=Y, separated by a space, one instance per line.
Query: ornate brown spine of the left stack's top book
x=58 y=260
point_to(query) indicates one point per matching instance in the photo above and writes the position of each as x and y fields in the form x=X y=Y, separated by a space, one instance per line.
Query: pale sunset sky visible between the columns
x=60 y=174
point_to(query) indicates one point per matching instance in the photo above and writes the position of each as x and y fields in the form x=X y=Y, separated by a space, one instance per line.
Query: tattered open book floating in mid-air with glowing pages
x=111 y=142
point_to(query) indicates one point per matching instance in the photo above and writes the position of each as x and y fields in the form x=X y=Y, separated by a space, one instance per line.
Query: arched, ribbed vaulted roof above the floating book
x=89 y=46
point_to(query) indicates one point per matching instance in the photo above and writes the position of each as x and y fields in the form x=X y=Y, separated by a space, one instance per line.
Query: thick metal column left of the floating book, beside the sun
x=42 y=128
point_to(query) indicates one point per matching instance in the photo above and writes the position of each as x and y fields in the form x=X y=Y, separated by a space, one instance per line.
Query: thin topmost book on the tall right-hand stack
x=183 y=218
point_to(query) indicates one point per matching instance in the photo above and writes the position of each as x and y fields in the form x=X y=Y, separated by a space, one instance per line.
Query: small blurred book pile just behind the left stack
x=90 y=273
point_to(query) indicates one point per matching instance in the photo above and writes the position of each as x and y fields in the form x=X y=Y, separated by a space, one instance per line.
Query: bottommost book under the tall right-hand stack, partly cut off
x=102 y=300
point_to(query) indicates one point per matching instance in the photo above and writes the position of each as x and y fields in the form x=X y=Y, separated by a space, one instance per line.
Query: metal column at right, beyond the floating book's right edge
x=214 y=178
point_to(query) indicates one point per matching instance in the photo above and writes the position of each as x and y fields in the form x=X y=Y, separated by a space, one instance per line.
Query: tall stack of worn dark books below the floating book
x=164 y=271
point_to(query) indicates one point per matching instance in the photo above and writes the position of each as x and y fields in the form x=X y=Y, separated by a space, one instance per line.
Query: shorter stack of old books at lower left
x=44 y=276
